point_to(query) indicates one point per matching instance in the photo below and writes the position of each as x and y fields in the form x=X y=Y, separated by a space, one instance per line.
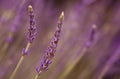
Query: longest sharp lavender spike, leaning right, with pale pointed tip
x=47 y=59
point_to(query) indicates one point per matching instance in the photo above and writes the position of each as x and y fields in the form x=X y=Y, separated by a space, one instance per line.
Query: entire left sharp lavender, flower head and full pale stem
x=30 y=37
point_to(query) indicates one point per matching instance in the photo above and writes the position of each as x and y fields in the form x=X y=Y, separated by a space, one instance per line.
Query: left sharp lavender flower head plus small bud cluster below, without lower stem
x=31 y=30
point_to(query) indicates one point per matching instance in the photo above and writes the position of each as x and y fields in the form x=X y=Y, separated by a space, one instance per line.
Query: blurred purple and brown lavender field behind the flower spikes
x=69 y=61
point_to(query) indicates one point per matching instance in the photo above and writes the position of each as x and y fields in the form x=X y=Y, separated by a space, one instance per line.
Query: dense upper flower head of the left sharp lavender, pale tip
x=32 y=28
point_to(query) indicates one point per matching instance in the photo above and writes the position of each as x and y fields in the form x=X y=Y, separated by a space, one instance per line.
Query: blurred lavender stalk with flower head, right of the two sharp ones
x=88 y=44
